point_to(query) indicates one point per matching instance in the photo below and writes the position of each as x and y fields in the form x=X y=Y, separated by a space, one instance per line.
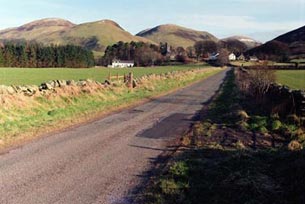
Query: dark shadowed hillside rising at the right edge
x=290 y=45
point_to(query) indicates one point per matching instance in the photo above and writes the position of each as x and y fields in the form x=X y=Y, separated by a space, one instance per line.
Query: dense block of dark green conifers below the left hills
x=36 y=55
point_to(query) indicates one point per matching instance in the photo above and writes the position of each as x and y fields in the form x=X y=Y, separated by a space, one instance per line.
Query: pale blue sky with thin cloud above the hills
x=260 y=19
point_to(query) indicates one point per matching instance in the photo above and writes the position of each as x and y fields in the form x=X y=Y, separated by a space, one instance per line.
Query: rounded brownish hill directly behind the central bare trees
x=176 y=35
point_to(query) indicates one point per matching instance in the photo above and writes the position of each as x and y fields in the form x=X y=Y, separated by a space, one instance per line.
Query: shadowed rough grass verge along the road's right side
x=233 y=157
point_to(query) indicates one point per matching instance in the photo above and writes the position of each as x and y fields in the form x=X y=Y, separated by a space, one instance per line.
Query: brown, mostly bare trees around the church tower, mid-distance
x=145 y=54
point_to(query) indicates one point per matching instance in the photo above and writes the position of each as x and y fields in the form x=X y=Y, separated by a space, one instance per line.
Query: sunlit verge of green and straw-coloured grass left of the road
x=37 y=115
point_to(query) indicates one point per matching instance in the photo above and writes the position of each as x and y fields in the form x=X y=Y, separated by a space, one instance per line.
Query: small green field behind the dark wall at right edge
x=295 y=79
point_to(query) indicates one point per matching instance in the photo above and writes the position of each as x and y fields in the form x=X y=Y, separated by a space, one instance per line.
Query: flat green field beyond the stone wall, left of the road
x=31 y=76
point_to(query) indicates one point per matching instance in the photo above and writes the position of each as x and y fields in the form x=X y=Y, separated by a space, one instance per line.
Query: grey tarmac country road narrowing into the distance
x=101 y=162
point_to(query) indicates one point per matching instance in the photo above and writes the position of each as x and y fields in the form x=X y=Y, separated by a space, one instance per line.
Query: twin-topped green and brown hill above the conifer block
x=94 y=35
